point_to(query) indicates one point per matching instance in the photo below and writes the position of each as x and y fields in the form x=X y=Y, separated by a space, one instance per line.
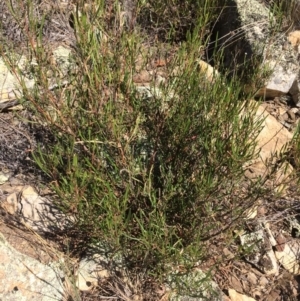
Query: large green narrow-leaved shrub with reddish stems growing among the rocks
x=157 y=178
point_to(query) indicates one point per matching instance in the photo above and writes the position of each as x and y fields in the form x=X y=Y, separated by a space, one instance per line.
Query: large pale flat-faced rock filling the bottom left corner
x=23 y=278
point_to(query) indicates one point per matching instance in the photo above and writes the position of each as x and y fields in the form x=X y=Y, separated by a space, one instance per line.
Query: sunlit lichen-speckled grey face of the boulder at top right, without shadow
x=279 y=58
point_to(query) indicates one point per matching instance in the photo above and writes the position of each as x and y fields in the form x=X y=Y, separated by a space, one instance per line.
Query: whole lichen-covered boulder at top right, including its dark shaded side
x=247 y=36
